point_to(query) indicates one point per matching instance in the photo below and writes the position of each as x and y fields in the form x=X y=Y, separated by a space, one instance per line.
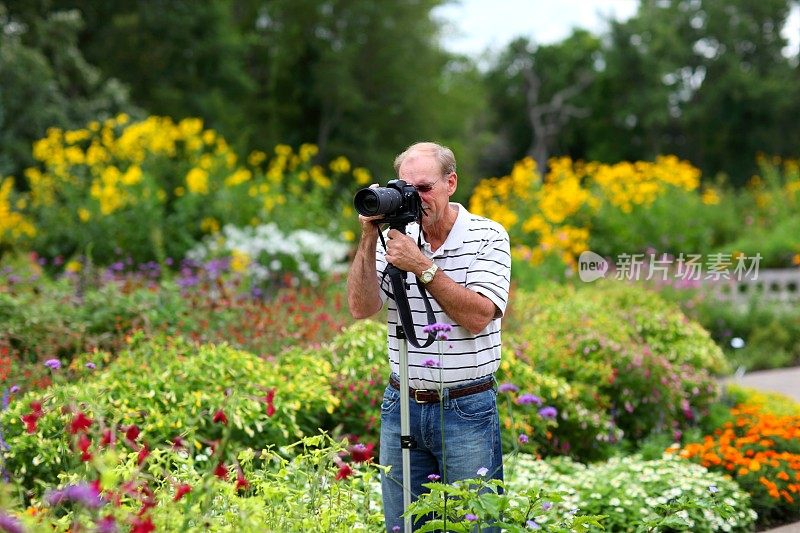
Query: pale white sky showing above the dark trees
x=476 y=26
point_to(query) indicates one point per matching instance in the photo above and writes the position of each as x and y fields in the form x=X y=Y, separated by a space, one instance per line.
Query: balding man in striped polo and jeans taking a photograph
x=465 y=265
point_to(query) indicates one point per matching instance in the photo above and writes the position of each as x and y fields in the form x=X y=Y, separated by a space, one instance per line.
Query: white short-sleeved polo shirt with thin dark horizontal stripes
x=475 y=255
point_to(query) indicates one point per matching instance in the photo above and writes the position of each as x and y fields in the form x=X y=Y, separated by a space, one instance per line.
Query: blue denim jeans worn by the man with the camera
x=471 y=442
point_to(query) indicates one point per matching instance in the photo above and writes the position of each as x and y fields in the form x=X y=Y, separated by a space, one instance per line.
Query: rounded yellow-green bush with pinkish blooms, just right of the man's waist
x=643 y=362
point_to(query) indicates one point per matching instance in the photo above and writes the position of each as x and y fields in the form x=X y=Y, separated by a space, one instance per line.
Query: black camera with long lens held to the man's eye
x=398 y=202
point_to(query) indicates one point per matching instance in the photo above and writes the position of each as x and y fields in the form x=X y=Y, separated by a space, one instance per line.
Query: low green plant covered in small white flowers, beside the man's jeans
x=639 y=495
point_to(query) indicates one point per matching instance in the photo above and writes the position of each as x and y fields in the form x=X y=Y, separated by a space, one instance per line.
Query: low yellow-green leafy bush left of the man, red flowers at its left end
x=168 y=388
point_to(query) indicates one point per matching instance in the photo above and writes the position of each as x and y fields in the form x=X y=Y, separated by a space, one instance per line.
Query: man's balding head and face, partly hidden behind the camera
x=423 y=172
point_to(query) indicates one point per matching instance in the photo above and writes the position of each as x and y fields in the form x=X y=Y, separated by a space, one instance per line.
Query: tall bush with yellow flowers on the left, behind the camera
x=155 y=188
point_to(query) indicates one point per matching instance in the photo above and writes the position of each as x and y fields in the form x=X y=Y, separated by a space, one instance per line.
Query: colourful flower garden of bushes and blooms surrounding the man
x=176 y=352
